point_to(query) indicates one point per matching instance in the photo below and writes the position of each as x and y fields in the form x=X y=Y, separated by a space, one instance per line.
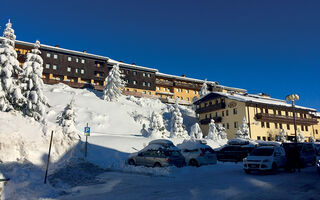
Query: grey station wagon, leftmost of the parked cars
x=159 y=153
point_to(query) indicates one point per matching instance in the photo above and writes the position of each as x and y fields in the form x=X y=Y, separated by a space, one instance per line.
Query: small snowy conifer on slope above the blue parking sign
x=67 y=119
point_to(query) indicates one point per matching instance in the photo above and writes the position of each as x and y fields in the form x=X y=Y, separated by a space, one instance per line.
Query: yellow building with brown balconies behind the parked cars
x=266 y=117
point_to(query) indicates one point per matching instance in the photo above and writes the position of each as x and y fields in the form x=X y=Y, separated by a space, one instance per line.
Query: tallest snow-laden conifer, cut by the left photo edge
x=10 y=94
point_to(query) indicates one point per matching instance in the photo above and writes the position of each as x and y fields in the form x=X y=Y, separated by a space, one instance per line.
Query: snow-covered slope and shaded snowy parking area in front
x=116 y=131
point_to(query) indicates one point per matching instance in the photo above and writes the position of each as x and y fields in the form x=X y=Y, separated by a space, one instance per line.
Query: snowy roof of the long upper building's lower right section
x=213 y=83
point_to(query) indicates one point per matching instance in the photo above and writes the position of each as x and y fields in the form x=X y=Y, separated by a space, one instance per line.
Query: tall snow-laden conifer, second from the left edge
x=31 y=84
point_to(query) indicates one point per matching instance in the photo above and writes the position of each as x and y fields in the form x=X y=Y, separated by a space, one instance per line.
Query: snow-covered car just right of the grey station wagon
x=197 y=153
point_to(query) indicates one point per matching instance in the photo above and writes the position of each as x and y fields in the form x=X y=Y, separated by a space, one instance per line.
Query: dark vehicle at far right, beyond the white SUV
x=306 y=150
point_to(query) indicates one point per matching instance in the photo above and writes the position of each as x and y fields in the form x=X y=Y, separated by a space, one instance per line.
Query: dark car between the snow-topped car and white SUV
x=234 y=153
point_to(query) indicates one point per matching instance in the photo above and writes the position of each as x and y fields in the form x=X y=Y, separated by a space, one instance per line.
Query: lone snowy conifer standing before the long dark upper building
x=114 y=84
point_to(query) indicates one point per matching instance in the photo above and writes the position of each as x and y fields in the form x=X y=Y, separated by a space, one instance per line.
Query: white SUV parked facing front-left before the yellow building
x=265 y=158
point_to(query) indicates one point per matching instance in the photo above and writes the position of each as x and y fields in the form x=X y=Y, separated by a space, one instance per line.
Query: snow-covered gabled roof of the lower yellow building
x=250 y=98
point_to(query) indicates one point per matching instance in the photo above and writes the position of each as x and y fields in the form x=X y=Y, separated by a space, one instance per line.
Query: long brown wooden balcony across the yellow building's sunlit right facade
x=284 y=119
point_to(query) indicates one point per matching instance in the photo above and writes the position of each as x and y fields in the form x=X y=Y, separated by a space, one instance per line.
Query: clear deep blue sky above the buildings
x=262 y=46
